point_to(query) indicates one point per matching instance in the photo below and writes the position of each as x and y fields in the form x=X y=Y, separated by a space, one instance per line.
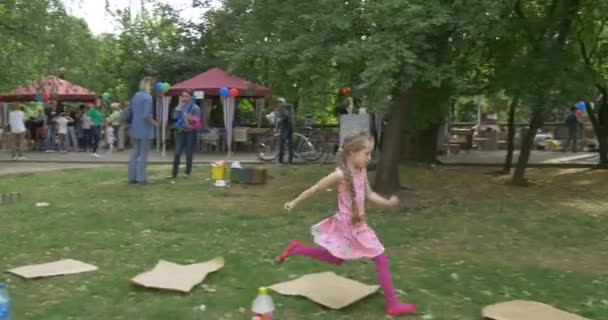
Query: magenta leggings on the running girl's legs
x=384 y=275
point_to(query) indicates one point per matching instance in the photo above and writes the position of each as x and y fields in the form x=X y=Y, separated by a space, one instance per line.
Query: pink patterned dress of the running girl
x=339 y=236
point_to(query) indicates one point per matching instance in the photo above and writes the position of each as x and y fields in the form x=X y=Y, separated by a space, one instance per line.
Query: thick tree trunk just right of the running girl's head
x=387 y=173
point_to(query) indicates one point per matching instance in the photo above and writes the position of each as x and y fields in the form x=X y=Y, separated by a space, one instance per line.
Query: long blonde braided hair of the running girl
x=353 y=143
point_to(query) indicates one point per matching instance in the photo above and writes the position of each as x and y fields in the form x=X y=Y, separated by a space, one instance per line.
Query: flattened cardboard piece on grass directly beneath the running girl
x=326 y=288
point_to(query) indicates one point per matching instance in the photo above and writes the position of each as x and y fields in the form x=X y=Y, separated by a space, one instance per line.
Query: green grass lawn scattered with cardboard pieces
x=462 y=239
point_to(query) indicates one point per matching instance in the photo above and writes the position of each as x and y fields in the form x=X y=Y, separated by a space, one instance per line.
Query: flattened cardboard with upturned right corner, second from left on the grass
x=176 y=277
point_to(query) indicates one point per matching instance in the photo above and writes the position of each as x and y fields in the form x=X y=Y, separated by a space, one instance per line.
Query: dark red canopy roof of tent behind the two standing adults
x=213 y=80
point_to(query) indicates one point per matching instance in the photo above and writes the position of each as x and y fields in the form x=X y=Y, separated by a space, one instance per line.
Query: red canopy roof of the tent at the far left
x=60 y=90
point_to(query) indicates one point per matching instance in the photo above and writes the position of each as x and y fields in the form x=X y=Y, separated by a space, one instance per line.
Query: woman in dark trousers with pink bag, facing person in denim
x=187 y=117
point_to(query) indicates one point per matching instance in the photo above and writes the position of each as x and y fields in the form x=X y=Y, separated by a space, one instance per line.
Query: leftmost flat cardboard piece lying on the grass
x=51 y=269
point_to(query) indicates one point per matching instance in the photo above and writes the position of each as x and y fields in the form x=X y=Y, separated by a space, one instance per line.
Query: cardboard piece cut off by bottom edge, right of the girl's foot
x=527 y=310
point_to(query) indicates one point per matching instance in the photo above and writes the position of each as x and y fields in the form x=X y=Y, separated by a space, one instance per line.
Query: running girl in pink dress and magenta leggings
x=346 y=235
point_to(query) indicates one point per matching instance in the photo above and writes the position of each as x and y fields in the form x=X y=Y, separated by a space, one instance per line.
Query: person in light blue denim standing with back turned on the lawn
x=141 y=131
